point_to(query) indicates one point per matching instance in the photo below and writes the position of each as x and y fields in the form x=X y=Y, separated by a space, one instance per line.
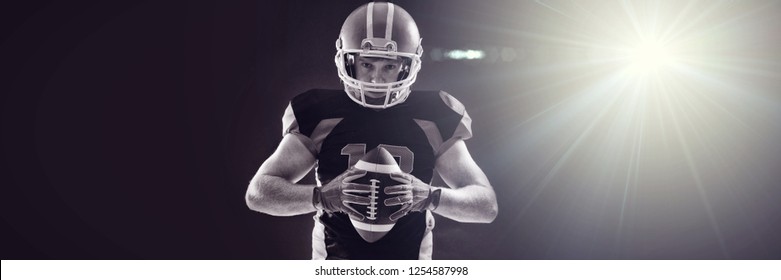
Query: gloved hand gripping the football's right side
x=412 y=194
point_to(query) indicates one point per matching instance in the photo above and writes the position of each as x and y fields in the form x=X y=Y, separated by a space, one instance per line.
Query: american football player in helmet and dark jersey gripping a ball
x=378 y=57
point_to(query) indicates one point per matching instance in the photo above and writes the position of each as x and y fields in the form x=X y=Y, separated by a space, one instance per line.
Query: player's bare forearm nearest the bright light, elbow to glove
x=469 y=204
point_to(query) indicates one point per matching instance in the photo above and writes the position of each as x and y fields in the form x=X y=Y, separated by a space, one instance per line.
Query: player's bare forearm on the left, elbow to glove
x=279 y=197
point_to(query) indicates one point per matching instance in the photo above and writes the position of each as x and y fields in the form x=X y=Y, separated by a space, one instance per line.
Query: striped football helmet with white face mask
x=381 y=30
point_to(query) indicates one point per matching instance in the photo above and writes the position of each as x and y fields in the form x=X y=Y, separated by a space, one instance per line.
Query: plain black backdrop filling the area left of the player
x=130 y=130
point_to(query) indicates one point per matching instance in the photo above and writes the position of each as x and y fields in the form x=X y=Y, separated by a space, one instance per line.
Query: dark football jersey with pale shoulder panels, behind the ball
x=339 y=132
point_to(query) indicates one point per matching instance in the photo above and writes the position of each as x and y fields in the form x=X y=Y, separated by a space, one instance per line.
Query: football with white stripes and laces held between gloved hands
x=378 y=164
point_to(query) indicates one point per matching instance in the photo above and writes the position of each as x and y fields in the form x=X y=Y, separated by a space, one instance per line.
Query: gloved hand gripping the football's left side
x=339 y=193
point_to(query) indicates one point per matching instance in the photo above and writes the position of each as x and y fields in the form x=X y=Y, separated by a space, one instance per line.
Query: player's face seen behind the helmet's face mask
x=377 y=70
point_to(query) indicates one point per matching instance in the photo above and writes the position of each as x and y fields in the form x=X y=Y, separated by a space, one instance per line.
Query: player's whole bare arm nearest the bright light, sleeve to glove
x=471 y=197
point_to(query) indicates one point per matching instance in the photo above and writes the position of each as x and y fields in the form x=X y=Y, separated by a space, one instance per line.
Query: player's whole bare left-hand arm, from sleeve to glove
x=273 y=189
